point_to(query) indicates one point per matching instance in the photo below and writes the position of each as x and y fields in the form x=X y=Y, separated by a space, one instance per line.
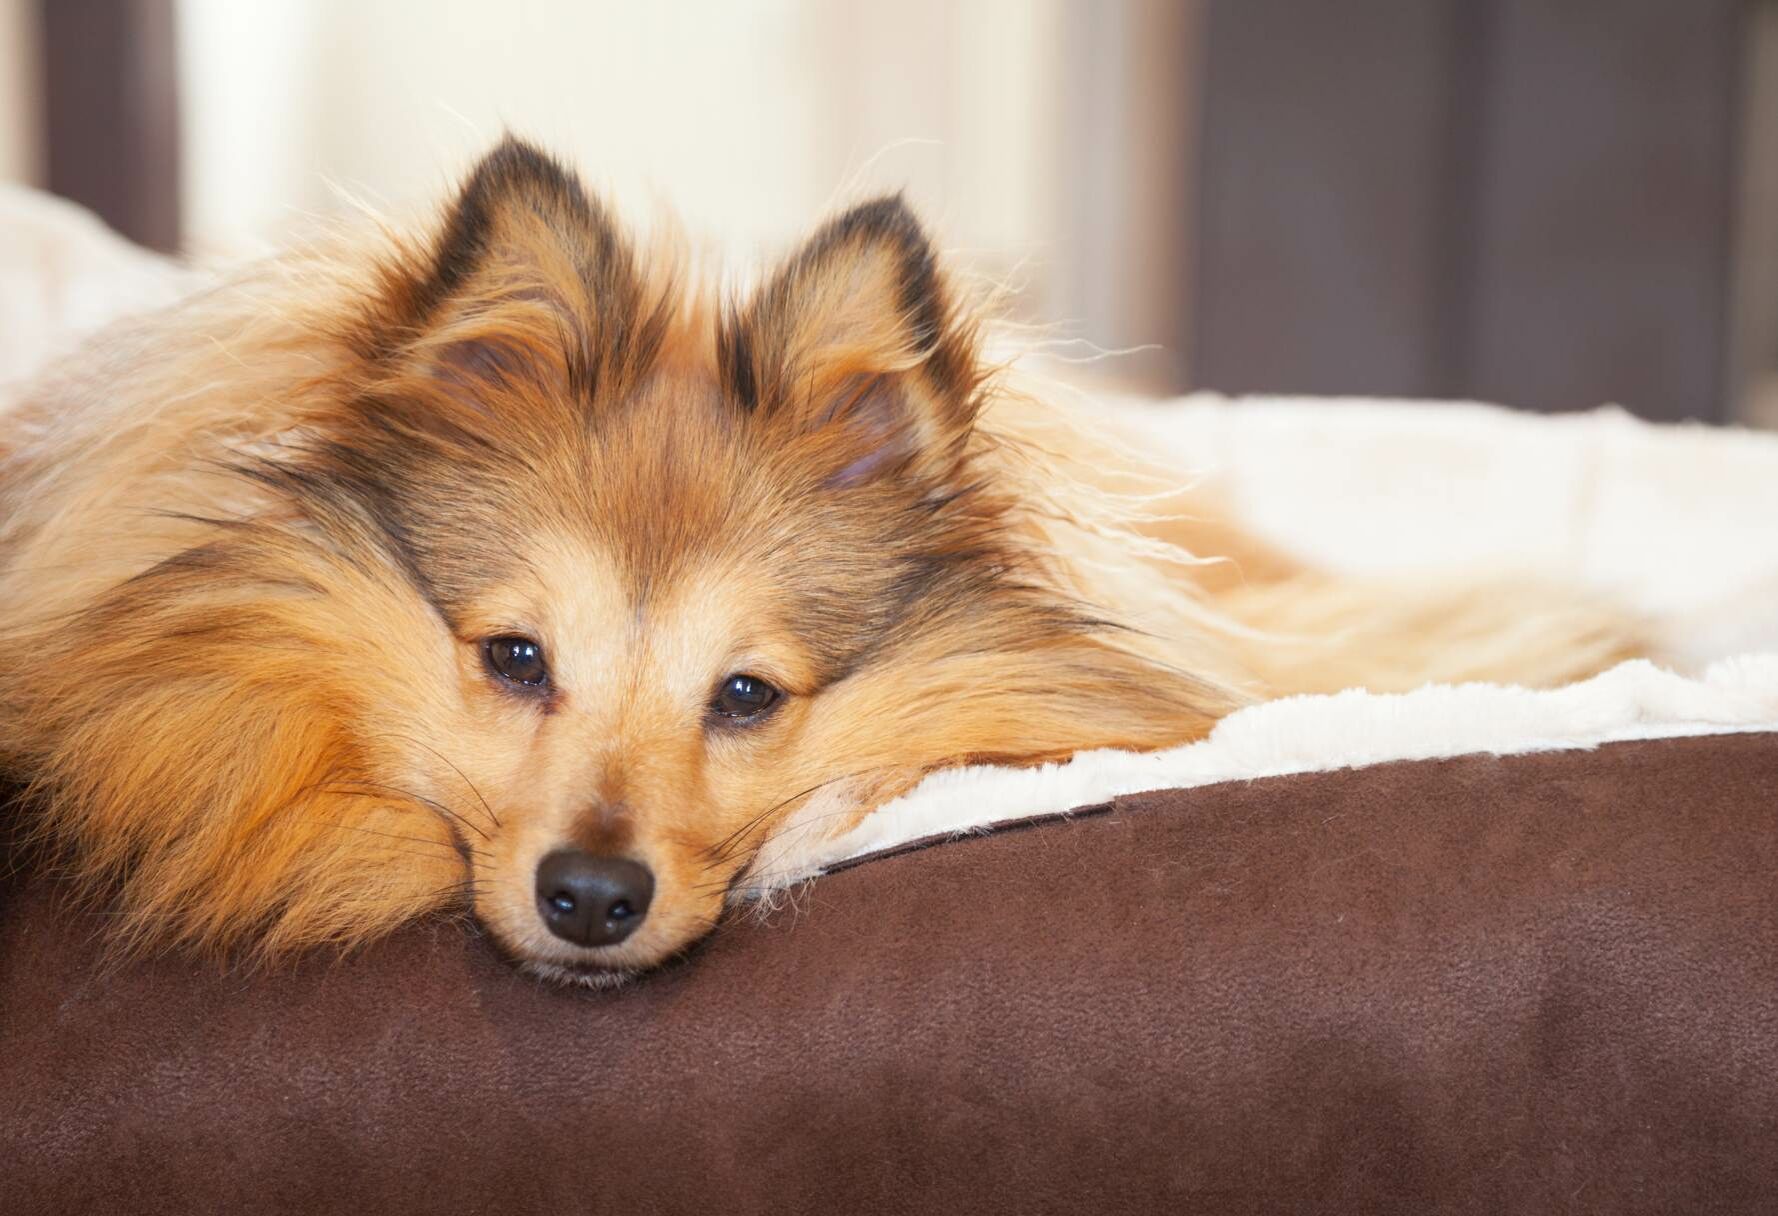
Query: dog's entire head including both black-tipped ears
x=691 y=572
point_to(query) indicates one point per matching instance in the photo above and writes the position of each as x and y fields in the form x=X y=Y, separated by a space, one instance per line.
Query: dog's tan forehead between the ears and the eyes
x=689 y=525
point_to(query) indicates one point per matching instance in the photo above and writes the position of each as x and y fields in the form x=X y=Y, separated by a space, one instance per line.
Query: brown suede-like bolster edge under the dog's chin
x=1487 y=984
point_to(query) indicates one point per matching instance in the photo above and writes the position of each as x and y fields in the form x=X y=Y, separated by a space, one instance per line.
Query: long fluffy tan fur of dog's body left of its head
x=218 y=790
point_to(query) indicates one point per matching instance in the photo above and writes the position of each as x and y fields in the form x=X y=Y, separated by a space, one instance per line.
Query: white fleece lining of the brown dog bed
x=1679 y=522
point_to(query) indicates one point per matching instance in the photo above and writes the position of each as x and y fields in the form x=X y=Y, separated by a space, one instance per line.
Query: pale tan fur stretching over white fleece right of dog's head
x=1261 y=621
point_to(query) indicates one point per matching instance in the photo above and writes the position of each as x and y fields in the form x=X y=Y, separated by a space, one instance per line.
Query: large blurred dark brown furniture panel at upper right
x=1525 y=202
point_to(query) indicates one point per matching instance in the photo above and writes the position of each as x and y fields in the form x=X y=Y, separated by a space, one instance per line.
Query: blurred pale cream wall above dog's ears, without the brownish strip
x=751 y=120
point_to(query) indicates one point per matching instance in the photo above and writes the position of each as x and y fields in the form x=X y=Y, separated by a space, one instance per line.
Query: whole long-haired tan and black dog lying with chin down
x=506 y=568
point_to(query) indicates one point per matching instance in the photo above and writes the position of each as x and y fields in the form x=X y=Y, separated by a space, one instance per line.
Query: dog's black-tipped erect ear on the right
x=858 y=342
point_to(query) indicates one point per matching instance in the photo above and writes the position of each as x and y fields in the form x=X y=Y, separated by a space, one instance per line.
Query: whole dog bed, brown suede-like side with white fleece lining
x=1455 y=950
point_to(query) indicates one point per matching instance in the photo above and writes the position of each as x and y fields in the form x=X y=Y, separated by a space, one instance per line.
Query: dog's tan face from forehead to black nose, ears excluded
x=659 y=641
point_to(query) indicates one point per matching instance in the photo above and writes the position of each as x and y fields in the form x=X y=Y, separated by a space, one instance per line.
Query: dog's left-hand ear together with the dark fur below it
x=525 y=314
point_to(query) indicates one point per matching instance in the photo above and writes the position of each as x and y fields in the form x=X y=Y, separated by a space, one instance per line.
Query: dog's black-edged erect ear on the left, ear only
x=529 y=276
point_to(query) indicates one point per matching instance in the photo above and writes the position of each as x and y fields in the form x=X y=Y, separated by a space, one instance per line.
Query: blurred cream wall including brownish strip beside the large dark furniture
x=1045 y=140
